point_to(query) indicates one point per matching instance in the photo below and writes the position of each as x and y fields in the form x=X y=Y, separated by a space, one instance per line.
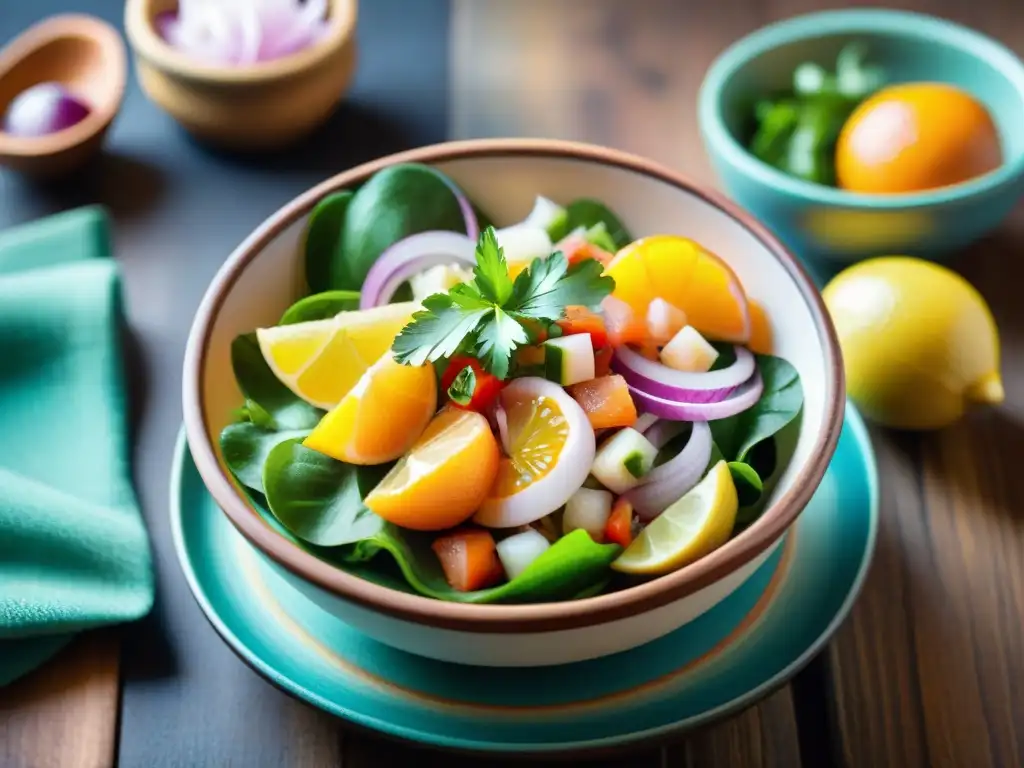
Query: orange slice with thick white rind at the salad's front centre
x=550 y=449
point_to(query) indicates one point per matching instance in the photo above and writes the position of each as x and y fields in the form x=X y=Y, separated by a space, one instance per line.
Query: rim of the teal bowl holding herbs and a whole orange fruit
x=854 y=22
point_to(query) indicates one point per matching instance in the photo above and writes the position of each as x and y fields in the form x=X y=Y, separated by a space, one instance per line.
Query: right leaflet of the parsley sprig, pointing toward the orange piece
x=548 y=286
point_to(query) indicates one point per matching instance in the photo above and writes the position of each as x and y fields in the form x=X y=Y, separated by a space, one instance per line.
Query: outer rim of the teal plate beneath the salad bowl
x=864 y=450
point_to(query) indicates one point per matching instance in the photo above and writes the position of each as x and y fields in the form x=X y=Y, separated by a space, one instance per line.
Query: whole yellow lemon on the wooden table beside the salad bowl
x=919 y=342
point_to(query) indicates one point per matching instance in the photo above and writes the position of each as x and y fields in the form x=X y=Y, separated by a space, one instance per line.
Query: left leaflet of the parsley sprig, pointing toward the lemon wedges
x=437 y=331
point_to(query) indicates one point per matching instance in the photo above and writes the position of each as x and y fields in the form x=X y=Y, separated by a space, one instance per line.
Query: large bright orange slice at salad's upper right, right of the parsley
x=687 y=276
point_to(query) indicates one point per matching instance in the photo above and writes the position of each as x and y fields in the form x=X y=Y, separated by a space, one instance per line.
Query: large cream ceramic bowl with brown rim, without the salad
x=266 y=275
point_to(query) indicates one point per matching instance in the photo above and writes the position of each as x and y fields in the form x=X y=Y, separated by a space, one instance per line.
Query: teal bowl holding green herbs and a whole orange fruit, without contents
x=831 y=227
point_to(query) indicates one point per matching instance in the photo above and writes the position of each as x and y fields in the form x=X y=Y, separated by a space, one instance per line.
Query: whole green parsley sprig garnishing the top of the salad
x=493 y=315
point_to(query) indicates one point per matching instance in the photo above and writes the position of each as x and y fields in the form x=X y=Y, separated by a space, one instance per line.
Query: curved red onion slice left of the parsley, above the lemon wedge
x=411 y=257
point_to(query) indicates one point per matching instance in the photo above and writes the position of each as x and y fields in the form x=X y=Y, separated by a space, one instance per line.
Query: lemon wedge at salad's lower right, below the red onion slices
x=696 y=526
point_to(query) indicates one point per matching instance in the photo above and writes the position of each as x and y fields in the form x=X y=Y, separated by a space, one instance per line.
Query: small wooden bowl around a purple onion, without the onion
x=88 y=57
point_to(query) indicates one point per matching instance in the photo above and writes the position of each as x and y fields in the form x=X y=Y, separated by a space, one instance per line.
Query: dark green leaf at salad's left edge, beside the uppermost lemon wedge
x=278 y=406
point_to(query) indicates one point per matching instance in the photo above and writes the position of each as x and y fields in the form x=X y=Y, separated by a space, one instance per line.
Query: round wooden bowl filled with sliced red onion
x=244 y=76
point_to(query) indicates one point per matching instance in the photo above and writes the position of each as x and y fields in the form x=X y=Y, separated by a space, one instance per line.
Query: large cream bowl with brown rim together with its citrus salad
x=492 y=439
